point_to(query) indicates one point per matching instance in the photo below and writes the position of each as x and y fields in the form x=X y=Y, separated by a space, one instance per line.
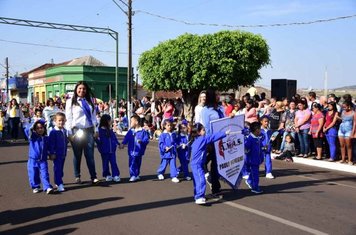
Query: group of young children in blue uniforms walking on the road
x=188 y=144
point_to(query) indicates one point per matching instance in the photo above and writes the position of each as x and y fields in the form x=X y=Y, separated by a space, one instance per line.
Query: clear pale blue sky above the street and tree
x=307 y=53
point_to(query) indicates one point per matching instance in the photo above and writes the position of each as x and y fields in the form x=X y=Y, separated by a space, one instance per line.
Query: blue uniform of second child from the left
x=58 y=146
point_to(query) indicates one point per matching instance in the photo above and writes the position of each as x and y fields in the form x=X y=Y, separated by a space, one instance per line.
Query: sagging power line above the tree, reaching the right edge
x=248 y=26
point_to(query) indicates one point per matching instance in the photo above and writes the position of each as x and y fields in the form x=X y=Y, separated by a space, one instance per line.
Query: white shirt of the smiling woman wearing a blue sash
x=76 y=117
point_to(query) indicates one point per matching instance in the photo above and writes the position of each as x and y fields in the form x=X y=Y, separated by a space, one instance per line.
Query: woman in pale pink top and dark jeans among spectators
x=302 y=127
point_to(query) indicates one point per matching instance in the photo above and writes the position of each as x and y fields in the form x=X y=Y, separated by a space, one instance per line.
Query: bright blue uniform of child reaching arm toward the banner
x=198 y=159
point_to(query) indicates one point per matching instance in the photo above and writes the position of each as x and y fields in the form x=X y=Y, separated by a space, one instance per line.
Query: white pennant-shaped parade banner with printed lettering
x=231 y=149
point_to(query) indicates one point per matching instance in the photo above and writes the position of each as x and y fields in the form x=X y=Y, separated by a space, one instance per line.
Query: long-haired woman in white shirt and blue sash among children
x=81 y=125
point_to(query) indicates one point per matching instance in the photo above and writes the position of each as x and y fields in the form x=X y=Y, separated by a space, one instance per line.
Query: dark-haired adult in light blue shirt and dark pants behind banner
x=212 y=111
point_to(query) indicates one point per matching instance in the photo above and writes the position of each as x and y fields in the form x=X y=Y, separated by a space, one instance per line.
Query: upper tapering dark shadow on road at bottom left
x=21 y=216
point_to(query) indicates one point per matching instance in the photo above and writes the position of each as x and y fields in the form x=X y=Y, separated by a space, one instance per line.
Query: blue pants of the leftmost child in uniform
x=37 y=172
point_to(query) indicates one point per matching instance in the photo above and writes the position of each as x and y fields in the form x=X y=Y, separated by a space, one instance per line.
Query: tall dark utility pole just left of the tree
x=129 y=67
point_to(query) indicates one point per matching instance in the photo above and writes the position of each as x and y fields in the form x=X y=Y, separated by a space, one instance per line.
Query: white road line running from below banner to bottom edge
x=274 y=218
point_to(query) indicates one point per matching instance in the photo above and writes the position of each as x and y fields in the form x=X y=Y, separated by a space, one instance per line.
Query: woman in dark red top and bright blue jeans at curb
x=330 y=129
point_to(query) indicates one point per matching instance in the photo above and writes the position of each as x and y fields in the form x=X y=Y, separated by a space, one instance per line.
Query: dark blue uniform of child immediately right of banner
x=254 y=157
